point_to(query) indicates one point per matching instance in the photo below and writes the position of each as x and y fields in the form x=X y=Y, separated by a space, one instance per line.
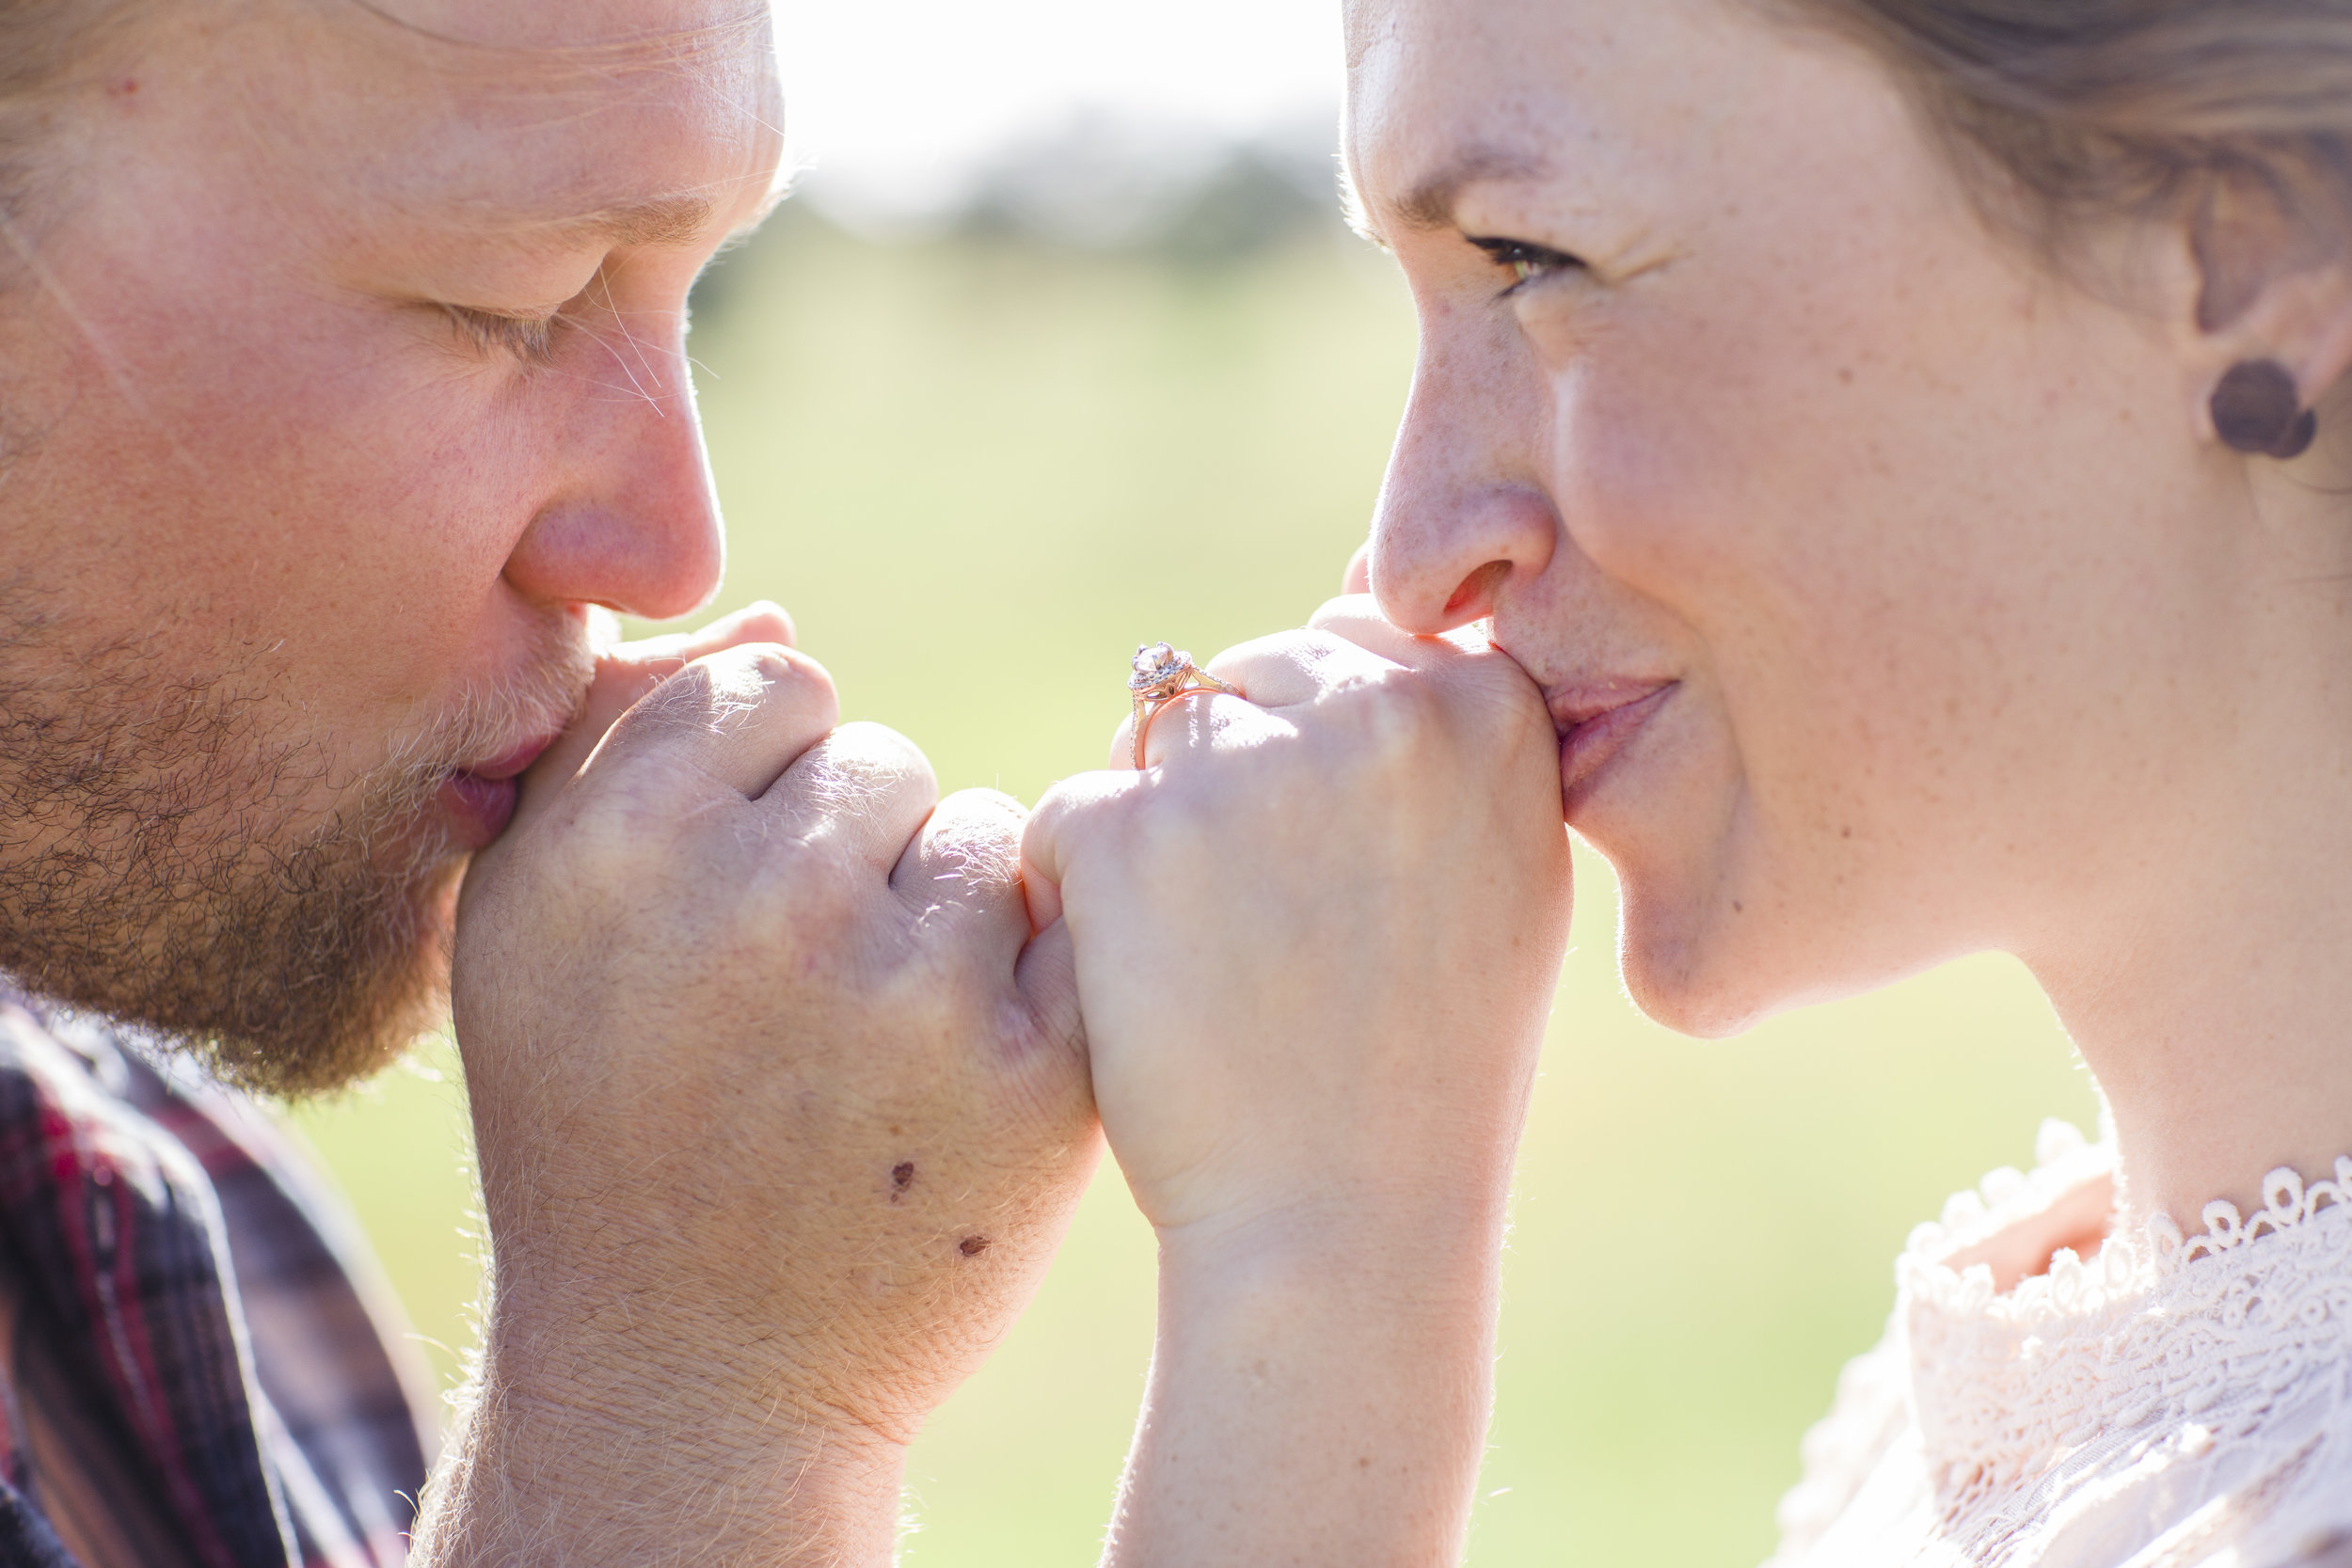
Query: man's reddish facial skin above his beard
x=262 y=445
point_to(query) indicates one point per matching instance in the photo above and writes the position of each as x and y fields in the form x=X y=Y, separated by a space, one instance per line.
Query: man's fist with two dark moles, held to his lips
x=780 y=1108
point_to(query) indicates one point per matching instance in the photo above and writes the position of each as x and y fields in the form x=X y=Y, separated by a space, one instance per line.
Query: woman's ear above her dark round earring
x=2273 y=283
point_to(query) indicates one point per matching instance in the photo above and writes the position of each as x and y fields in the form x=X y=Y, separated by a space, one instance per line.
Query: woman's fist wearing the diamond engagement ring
x=1318 y=939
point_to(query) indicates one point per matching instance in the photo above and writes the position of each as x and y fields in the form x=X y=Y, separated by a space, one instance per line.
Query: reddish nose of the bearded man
x=636 y=525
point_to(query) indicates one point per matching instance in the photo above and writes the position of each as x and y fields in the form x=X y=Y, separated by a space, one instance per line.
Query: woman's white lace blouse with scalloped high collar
x=2094 y=1376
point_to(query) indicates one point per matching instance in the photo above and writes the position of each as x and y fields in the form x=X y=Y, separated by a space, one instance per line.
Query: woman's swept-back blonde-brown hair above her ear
x=2073 y=112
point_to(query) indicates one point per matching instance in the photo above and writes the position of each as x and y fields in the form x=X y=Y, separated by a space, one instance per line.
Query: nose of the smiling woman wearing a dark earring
x=1462 y=507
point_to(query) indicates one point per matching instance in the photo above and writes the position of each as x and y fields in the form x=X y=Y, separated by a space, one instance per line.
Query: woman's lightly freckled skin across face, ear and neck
x=1977 y=636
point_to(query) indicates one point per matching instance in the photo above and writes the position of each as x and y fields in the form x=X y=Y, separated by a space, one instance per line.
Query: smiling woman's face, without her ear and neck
x=1866 y=565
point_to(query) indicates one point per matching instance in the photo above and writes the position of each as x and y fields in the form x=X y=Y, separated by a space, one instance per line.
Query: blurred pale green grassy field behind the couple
x=987 y=453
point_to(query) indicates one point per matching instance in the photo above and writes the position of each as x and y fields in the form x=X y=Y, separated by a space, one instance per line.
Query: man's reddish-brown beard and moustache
x=163 y=859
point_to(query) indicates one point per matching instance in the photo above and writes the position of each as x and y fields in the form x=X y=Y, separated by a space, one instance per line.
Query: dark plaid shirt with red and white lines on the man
x=199 y=1367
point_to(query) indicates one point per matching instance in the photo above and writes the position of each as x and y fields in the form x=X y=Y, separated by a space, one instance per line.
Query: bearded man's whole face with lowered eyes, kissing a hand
x=347 y=377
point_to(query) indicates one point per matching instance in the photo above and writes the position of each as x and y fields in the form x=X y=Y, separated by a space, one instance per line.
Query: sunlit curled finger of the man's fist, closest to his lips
x=742 y=716
